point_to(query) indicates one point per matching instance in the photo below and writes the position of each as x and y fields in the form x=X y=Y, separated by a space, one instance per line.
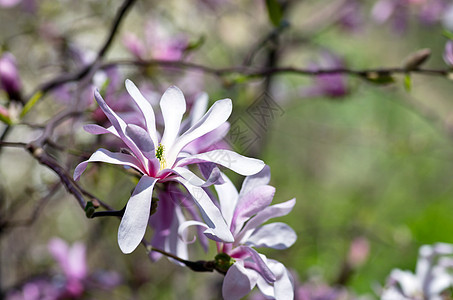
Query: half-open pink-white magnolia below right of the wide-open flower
x=245 y=212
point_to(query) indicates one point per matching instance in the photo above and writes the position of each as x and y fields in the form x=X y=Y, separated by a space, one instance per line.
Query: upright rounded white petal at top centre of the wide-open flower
x=173 y=107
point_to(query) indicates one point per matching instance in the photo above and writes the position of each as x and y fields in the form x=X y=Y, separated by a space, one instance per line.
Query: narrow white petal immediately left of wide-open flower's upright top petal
x=146 y=109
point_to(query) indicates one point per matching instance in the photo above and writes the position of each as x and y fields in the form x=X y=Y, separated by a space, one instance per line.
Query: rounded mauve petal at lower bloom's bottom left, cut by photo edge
x=238 y=282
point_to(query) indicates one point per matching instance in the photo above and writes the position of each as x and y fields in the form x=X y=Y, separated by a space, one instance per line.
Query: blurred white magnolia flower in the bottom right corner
x=432 y=276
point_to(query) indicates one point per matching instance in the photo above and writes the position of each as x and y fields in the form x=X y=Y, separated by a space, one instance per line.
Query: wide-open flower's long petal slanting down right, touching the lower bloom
x=209 y=212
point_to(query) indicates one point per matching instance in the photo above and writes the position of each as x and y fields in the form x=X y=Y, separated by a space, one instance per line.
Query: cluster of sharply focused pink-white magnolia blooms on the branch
x=166 y=162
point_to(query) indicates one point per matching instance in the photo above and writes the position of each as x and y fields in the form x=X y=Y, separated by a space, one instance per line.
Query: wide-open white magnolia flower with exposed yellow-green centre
x=162 y=159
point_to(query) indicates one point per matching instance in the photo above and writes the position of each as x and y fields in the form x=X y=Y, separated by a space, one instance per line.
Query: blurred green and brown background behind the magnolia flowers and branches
x=370 y=163
